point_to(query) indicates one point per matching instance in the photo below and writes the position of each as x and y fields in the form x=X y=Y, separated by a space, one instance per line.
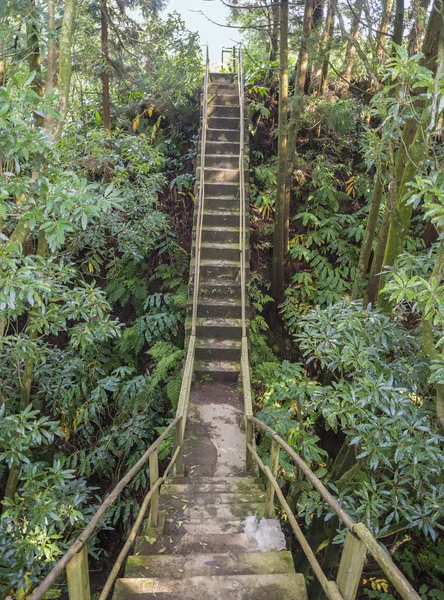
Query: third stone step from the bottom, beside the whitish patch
x=191 y=544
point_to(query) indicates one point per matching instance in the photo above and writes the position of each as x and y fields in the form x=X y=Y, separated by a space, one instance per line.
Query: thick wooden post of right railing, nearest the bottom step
x=350 y=567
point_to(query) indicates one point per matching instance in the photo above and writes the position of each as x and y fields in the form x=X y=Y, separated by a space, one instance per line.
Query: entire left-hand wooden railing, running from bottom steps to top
x=75 y=559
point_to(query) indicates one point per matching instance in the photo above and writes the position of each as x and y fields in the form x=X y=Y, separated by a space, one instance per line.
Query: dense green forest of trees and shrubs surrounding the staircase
x=99 y=121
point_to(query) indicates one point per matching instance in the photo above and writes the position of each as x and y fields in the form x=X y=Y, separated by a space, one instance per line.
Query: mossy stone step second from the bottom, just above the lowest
x=189 y=565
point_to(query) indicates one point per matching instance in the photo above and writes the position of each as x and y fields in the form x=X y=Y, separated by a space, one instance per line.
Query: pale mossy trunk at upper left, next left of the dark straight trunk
x=65 y=60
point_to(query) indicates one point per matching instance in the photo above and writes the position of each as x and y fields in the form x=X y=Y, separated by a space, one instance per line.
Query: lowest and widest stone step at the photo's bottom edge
x=275 y=586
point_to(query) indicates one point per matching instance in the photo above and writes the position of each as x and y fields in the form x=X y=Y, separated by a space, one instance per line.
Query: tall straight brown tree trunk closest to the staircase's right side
x=281 y=241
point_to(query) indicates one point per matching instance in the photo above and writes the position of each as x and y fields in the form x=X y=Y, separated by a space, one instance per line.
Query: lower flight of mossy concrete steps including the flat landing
x=201 y=550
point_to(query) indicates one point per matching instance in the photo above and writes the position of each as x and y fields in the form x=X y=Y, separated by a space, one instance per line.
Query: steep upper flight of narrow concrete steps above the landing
x=218 y=331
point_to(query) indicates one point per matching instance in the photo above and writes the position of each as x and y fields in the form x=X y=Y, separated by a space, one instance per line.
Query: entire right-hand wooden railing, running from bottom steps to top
x=359 y=540
